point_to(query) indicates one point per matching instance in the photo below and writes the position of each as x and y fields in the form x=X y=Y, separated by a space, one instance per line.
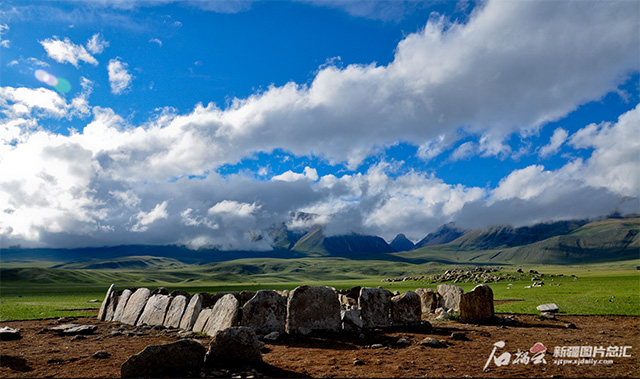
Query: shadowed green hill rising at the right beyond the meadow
x=565 y=243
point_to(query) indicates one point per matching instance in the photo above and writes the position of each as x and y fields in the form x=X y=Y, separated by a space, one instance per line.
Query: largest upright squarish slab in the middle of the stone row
x=314 y=308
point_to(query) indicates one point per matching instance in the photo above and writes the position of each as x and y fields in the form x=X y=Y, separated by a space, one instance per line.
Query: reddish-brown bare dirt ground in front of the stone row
x=51 y=356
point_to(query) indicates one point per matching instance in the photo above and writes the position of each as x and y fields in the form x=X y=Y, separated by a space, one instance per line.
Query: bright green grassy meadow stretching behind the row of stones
x=594 y=289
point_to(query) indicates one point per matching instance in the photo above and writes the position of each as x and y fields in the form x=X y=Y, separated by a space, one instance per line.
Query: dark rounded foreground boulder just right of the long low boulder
x=233 y=346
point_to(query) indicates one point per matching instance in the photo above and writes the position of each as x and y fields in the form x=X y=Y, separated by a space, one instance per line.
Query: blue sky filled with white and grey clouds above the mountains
x=206 y=123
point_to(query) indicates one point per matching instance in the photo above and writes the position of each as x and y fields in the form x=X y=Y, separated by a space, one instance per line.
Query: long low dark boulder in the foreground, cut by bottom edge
x=172 y=359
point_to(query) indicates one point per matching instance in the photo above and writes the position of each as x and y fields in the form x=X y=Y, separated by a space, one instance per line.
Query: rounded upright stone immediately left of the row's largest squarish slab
x=266 y=312
